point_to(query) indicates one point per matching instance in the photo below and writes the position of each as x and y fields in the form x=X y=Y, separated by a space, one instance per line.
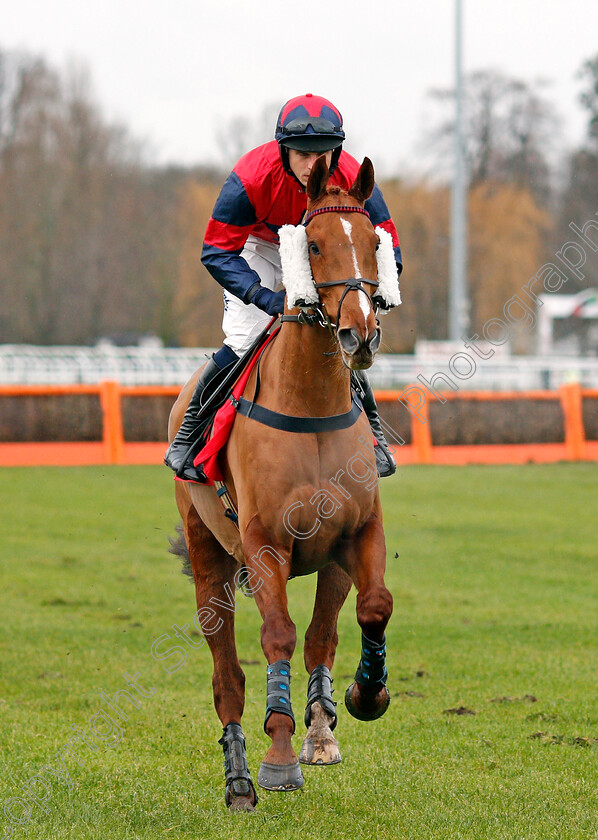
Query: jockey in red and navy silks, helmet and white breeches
x=266 y=190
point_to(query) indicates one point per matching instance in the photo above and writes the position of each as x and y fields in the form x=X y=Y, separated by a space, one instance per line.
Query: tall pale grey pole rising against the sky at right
x=458 y=306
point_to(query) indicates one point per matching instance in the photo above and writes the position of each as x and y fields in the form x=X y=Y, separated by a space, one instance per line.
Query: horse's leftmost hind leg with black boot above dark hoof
x=214 y=572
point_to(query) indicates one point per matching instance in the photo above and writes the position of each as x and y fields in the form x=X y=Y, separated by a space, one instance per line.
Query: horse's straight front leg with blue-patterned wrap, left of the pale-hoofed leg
x=270 y=566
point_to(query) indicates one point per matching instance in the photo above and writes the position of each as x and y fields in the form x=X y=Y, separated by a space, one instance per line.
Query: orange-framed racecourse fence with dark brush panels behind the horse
x=113 y=423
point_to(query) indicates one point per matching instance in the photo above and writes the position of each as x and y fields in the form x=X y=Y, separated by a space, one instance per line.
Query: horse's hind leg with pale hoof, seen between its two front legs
x=320 y=746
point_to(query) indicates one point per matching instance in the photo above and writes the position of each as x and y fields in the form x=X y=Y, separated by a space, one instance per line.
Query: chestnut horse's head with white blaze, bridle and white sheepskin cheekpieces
x=339 y=265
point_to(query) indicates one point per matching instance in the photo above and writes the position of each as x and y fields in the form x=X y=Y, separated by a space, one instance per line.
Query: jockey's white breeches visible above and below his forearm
x=243 y=322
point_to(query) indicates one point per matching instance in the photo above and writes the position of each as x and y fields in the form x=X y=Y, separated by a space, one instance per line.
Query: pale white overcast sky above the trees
x=176 y=72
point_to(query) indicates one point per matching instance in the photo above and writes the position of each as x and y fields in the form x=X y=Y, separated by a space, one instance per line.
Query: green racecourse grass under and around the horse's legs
x=495 y=589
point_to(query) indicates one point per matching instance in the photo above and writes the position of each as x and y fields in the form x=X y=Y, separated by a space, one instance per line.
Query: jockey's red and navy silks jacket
x=259 y=197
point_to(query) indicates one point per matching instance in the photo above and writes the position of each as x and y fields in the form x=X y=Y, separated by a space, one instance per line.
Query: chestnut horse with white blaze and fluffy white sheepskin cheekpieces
x=307 y=498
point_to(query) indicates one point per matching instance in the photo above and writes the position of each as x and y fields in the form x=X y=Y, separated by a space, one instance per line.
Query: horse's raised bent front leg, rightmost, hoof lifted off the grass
x=365 y=561
